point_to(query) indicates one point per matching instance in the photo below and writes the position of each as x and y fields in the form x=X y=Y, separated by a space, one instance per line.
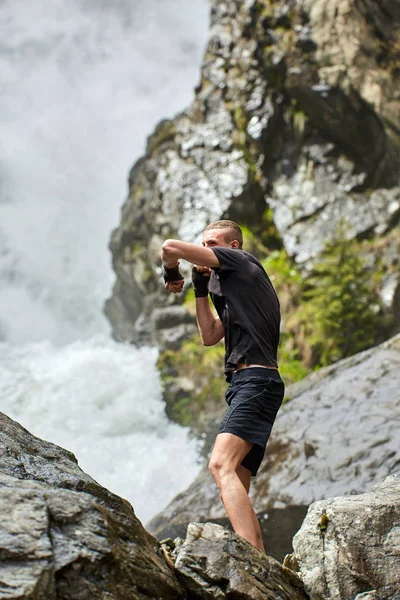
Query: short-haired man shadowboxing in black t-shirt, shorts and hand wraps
x=249 y=320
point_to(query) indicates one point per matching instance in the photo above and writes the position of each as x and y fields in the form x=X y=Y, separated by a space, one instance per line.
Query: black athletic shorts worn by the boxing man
x=254 y=397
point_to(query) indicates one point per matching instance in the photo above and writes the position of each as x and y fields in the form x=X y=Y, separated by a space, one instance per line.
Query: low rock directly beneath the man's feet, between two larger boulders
x=216 y=563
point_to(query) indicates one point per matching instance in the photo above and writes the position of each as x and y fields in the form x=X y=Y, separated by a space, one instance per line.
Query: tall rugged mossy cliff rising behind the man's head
x=298 y=109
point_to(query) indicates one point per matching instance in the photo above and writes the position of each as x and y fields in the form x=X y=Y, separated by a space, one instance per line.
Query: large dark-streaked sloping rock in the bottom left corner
x=63 y=536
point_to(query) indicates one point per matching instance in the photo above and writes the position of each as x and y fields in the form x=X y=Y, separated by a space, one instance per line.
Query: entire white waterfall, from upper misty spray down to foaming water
x=83 y=83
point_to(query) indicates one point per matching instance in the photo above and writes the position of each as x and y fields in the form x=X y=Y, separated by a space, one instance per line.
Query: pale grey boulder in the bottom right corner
x=350 y=547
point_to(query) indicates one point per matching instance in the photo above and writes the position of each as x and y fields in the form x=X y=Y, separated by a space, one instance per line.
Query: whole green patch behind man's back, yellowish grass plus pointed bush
x=328 y=314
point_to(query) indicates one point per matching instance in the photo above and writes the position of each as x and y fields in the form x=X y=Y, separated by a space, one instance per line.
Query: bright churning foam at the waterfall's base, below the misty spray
x=103 y=402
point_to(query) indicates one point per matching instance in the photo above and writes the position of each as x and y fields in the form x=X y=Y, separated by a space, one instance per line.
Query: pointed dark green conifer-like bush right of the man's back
x=340 y=312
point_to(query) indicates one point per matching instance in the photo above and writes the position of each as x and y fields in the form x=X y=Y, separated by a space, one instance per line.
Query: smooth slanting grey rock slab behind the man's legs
x=338 y=434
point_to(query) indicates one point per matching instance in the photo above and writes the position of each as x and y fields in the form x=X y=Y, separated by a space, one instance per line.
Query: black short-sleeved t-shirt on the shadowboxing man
x=248 y=307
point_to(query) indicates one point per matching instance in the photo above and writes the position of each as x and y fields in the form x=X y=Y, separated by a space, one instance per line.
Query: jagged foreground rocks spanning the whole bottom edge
x=64 y=537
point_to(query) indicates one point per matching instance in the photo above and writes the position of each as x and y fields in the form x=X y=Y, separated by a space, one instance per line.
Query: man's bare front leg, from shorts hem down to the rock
x=228 y=453
